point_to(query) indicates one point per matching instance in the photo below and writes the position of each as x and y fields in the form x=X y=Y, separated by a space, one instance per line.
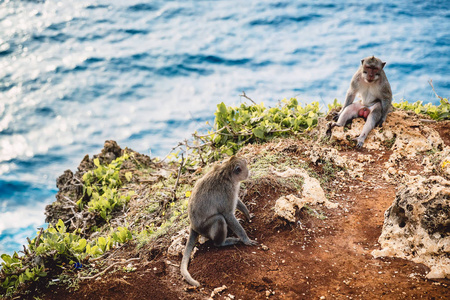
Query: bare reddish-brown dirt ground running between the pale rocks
x=315 y=258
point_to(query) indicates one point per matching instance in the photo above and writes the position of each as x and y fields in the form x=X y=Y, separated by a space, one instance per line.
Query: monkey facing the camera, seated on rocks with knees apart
x=371 y=83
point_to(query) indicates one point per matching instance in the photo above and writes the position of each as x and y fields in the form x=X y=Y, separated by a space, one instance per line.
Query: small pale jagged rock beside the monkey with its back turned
x=312 y=193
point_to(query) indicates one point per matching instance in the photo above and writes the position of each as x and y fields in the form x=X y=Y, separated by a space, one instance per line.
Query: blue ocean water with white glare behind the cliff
x=148 y=73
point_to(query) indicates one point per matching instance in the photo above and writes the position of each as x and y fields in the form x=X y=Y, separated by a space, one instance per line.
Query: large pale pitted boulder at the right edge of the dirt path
x=417 y=225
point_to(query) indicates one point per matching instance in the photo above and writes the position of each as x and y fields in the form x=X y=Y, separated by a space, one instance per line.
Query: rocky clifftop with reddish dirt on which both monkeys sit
x=332 y=221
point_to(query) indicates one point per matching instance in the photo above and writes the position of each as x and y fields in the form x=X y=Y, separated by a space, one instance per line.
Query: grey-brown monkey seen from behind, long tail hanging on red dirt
x=213 y=202
